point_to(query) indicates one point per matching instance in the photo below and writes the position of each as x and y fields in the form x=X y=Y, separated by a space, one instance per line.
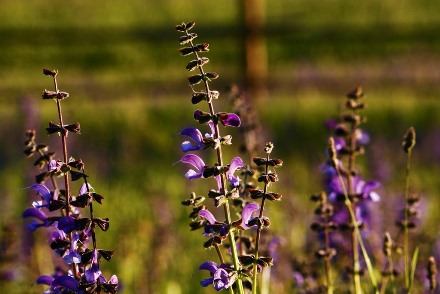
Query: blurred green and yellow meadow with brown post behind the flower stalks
x=294 y=62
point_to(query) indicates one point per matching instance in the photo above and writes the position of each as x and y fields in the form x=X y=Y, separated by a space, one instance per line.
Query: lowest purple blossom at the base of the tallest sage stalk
x=220 y=278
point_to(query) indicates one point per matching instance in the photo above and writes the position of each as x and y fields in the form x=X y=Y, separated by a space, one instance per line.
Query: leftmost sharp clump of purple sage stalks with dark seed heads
x=73 y=237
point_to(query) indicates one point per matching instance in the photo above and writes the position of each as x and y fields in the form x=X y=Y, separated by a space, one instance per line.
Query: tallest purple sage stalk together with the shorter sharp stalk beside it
x=246 y=261
